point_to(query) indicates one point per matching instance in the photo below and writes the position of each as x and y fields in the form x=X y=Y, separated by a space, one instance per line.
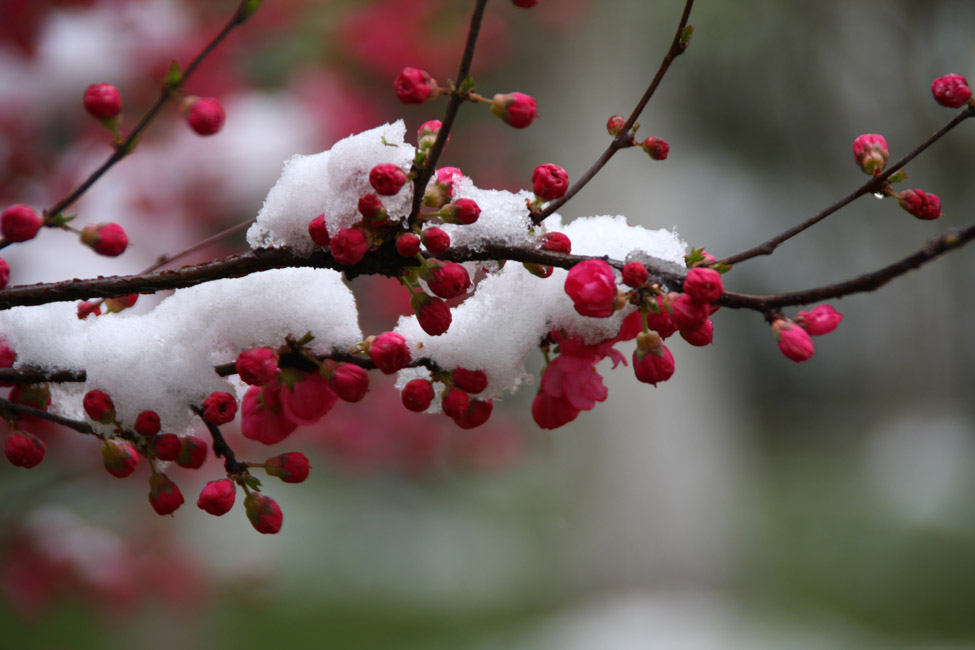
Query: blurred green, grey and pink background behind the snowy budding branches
x=747 y=503
